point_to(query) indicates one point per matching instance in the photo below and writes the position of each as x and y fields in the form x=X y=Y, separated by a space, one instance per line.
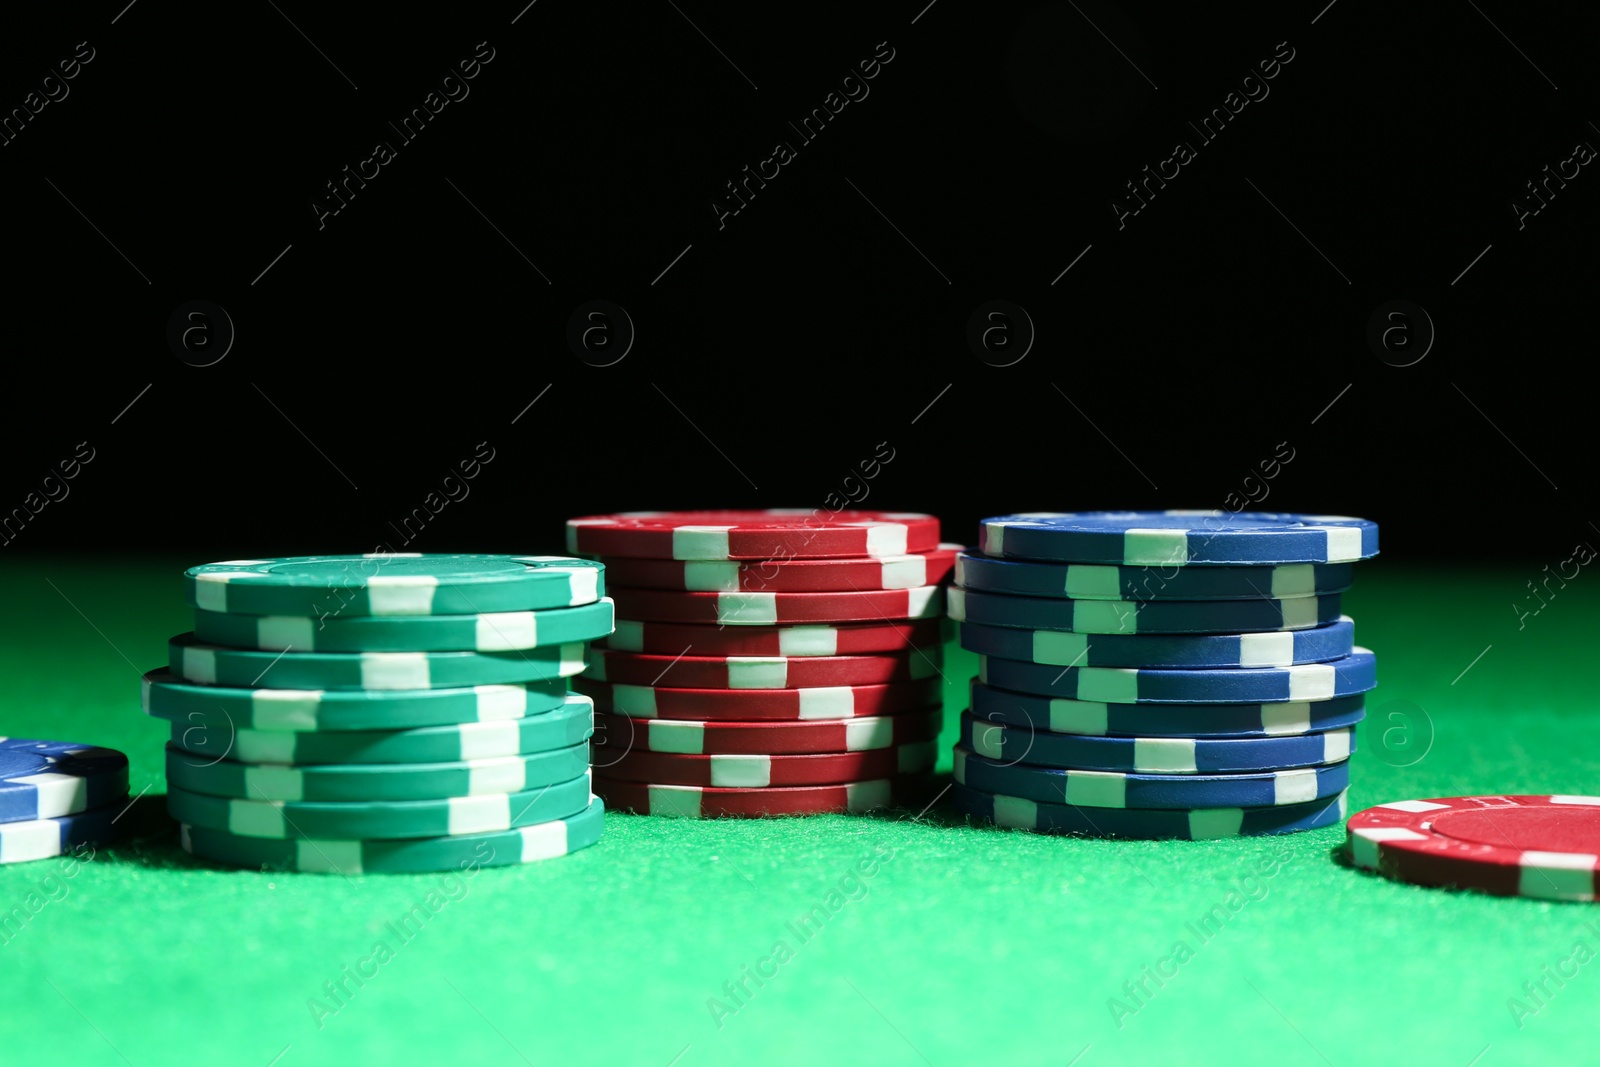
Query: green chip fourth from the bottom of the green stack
x=569 y=725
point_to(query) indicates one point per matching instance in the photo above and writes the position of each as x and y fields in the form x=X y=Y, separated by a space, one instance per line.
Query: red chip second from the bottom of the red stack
x=764 y=772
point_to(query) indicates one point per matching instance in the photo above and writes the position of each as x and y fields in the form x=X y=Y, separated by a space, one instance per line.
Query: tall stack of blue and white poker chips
x=1161 y=674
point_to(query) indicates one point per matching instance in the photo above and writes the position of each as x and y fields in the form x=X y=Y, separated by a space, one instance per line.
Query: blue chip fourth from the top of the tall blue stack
x=1062 y=649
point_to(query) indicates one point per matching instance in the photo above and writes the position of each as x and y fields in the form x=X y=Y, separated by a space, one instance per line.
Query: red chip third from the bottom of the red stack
x=847 y=735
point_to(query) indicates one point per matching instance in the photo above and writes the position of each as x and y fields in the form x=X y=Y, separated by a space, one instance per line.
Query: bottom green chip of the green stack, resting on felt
x=527 y=845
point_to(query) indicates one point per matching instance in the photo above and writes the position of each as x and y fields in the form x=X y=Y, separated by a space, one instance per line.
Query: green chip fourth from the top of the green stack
x=226 y=709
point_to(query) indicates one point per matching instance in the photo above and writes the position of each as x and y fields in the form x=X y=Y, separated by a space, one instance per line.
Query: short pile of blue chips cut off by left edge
x=58 y=799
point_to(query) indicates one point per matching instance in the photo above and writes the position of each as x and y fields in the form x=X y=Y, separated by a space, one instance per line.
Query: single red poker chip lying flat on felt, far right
x=1540 y=847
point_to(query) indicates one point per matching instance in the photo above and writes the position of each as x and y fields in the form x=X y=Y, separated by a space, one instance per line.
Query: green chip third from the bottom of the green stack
x=375 y=781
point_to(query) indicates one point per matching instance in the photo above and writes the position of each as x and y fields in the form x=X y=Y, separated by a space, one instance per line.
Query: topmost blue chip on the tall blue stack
x=1180 y=538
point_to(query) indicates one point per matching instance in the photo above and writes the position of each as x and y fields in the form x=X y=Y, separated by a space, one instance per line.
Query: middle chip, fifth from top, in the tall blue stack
x=1348 y=676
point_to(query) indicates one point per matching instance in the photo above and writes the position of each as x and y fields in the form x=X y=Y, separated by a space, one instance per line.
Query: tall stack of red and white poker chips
x=767 y=661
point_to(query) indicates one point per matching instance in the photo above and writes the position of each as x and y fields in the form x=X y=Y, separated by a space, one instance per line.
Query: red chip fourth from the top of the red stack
x=679 y=639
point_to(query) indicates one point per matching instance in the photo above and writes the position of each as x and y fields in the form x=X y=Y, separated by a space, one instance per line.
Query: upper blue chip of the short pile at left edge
x=44 y=780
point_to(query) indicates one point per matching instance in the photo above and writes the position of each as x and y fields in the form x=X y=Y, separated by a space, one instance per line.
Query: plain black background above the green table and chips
x=826 y=318
